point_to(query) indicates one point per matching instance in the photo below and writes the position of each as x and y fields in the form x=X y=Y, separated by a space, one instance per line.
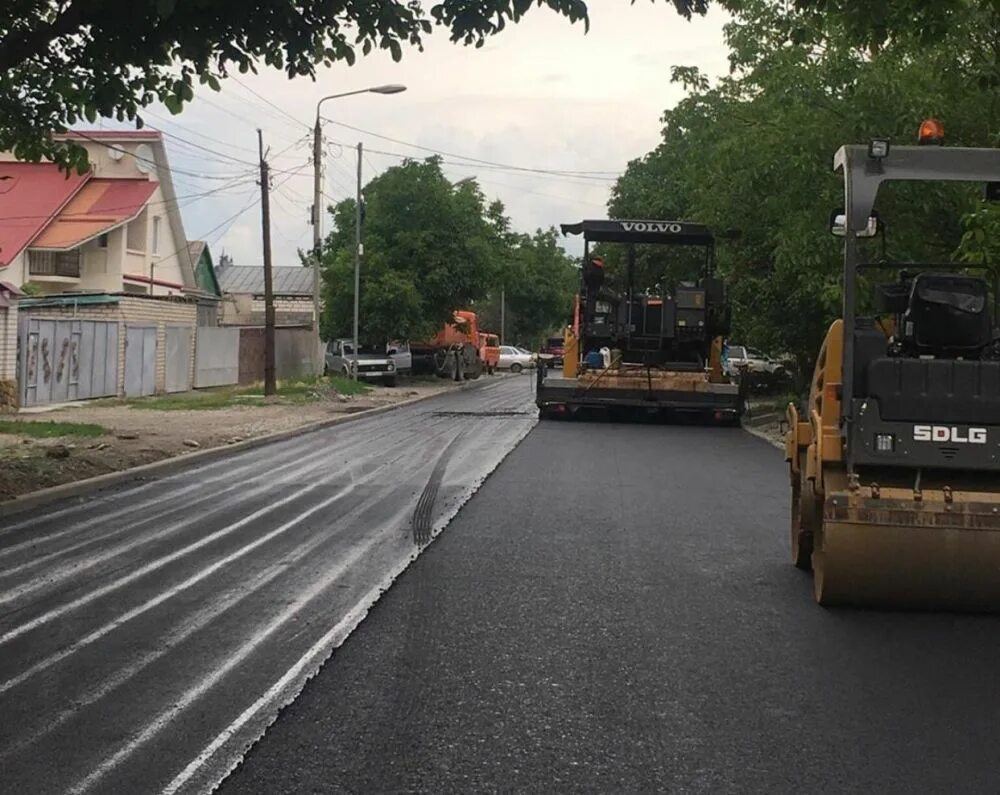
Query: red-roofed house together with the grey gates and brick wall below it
x=108 y=245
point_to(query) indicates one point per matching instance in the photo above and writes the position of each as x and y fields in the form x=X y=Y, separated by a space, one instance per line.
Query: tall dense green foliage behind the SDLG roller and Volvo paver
x=753 y=151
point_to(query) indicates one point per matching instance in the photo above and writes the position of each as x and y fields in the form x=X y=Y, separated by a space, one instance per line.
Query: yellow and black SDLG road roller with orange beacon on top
x=895 y=457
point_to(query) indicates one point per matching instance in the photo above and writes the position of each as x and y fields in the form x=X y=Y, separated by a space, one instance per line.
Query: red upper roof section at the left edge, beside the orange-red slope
x=31 y=194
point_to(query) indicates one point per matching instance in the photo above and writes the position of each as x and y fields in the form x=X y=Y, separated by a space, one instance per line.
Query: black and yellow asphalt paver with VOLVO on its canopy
x=644 y=349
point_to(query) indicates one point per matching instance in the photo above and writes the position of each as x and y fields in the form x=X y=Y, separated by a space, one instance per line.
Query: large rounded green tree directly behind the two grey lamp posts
x=430 y=248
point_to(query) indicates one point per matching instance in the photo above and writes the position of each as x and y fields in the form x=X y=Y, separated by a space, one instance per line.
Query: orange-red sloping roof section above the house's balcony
x=101 y=205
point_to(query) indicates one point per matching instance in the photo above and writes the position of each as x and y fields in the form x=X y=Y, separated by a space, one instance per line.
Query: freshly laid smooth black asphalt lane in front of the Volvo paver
x=614 y=612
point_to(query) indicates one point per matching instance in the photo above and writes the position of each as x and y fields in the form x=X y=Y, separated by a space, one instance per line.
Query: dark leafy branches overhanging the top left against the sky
x=62 y=61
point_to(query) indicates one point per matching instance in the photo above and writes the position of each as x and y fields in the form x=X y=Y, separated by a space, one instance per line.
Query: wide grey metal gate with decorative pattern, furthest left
x=62 y=360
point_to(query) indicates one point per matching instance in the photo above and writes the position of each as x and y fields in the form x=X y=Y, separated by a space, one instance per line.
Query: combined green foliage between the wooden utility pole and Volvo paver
x=431 y=247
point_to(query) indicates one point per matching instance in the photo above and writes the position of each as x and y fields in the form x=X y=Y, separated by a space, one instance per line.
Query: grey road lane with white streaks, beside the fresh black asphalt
x=148 y=636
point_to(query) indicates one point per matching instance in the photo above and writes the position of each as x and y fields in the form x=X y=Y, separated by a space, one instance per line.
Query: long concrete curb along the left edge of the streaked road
x=93 y=486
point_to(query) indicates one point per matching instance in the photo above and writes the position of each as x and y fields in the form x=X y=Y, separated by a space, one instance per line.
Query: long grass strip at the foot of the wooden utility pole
x=296 y=392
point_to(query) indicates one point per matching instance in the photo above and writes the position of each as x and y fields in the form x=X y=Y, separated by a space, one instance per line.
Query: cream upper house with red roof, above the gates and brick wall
x=114 y=229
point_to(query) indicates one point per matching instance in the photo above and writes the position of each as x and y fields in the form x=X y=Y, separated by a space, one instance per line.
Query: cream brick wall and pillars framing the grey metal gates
x=138 y=311
